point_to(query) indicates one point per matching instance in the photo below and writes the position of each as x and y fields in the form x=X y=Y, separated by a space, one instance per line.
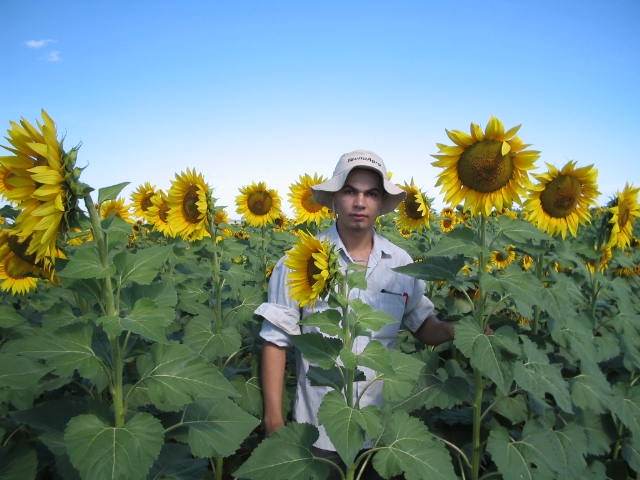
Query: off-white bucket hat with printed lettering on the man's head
x=323 y=192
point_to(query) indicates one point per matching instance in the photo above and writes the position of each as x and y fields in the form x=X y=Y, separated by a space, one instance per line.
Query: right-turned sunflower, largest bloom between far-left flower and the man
x=190 y=204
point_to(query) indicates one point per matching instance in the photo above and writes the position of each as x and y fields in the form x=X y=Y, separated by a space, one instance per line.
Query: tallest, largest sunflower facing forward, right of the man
x=485 y=170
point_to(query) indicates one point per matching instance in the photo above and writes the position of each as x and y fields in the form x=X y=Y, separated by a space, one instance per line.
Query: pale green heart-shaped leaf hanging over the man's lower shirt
x=344 y=425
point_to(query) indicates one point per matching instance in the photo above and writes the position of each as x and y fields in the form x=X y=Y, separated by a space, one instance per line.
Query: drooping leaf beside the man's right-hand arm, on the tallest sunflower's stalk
x=479 y=348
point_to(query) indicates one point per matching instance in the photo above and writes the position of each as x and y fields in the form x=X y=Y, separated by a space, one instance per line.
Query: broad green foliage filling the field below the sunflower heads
x=143 y=362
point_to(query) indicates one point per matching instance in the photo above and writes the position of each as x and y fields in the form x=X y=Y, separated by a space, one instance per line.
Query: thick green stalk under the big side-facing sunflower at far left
x=110 y=310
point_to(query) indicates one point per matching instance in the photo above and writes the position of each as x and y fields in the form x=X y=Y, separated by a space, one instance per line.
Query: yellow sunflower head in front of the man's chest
x=314 y=267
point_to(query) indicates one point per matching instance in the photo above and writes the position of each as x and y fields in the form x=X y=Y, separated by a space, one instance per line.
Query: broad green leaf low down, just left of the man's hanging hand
x=217 y=427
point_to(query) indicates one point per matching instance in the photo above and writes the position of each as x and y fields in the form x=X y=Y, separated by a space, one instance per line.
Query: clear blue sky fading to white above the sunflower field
x=247 y=91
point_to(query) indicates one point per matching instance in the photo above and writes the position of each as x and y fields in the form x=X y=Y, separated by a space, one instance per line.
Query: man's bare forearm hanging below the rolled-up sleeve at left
x=273 y=366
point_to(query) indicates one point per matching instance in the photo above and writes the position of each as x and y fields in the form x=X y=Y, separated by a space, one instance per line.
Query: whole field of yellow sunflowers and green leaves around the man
x=129 y=347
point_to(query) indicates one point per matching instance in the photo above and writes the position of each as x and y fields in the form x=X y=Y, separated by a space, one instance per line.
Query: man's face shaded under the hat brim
x=358 y=203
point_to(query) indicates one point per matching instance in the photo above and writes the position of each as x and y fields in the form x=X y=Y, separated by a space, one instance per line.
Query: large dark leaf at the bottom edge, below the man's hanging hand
x=285 y=454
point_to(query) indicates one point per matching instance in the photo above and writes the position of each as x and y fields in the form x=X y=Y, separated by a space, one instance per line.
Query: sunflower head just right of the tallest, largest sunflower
x=561 y=201
